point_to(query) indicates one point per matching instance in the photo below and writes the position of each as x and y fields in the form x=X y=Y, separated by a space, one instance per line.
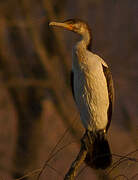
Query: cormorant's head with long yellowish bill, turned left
x=75 y=25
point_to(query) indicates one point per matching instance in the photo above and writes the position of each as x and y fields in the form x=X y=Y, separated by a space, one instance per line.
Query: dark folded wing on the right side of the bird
x=110 y=87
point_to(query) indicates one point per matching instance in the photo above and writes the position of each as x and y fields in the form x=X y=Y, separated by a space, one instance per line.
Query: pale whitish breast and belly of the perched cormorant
x=90 y=88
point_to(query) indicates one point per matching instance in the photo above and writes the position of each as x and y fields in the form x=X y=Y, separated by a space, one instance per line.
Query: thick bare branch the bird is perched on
x=78 y=161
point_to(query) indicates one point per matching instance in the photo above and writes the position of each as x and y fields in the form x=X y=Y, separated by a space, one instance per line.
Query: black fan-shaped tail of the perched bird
x=99 y=154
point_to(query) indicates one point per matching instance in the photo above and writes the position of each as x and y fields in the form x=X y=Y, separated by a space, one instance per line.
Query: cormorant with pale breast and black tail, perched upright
x=93 y=92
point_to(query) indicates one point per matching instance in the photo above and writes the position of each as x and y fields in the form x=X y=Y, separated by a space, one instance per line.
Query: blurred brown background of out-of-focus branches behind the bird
x=36 y=104
